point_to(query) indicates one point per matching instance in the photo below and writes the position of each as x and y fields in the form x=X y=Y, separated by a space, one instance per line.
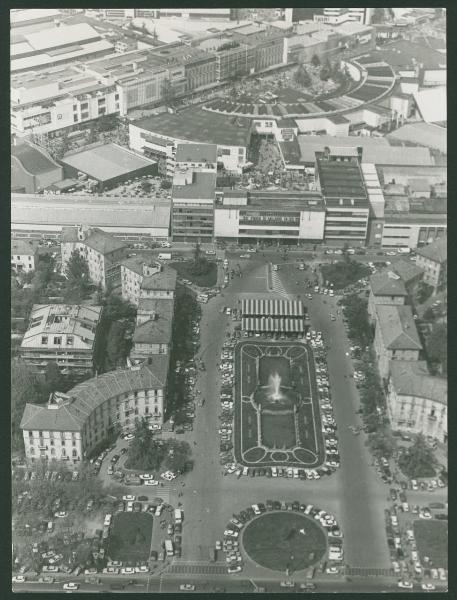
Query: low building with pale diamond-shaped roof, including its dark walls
x=107 y=164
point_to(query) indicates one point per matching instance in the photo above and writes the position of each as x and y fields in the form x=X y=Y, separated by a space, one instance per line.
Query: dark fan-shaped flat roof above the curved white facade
x=198 y=125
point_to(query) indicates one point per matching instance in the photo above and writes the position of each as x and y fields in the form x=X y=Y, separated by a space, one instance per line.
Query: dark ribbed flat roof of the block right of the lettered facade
x=340 y=179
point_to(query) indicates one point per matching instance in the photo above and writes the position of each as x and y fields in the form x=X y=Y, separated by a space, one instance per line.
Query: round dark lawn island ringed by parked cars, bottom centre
x=284 y=541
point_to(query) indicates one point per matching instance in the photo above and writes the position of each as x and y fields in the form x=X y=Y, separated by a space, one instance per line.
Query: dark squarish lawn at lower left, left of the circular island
x=130 y=537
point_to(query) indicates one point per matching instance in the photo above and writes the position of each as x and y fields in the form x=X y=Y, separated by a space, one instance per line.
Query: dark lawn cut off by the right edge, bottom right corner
x=432 y=541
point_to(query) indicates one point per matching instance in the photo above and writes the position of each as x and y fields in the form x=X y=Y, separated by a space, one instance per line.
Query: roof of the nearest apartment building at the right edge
x=411 y=378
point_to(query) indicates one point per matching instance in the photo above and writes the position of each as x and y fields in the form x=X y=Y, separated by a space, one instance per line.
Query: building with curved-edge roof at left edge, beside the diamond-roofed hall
x=32 y=169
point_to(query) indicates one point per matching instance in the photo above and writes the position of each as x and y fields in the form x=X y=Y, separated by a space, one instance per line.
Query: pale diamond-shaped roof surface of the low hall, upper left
x=107 y=161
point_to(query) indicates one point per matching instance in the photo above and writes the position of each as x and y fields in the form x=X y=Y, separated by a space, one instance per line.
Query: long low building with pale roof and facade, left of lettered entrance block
x=36 y=215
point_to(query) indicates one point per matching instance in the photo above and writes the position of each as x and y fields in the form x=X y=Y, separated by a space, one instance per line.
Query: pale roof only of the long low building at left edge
x=66 y=210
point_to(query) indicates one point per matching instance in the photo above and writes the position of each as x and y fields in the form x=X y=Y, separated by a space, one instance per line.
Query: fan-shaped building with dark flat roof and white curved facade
x=158 y=136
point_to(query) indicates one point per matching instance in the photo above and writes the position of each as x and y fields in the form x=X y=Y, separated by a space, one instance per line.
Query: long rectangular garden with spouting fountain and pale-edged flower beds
x=277 y=417
